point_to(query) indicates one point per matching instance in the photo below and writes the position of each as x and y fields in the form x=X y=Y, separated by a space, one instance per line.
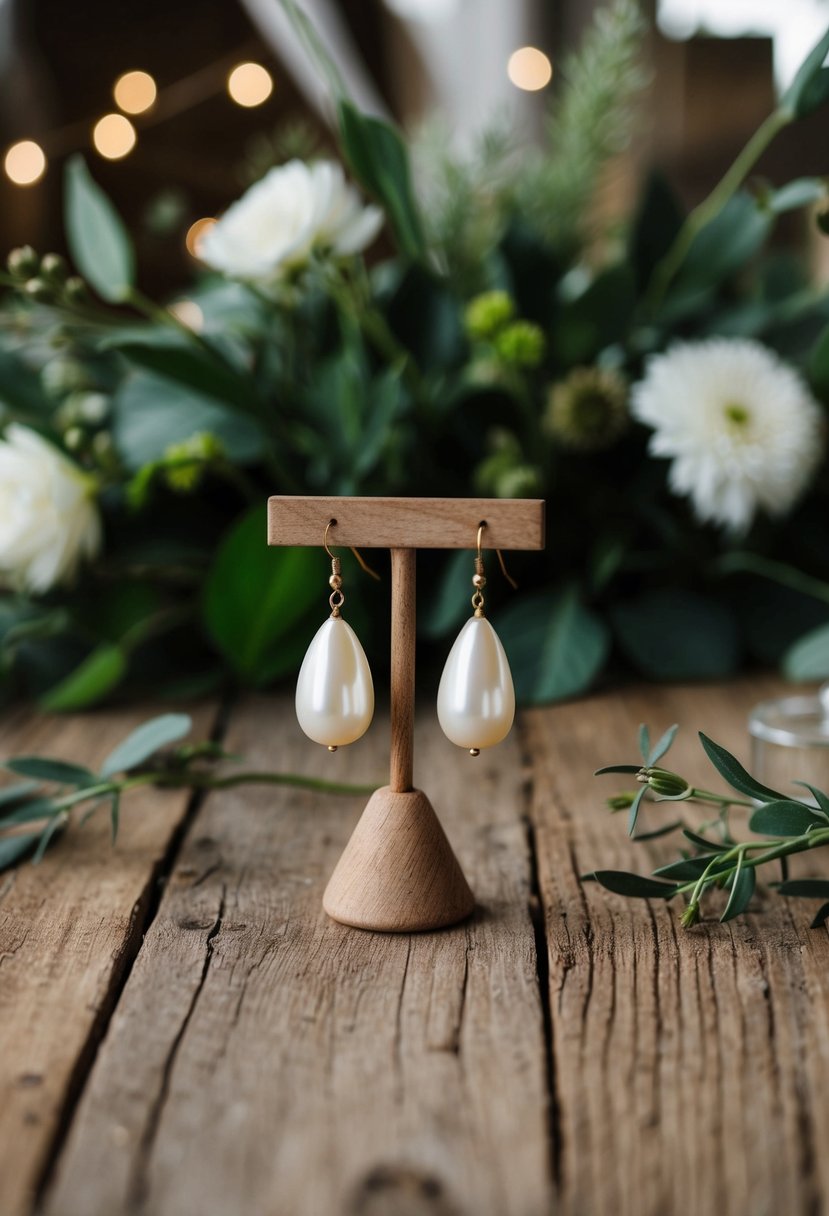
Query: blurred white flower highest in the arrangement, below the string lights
x=296 y=210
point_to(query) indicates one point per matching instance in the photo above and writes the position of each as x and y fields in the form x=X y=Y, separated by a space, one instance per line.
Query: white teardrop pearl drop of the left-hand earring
x=335 y=690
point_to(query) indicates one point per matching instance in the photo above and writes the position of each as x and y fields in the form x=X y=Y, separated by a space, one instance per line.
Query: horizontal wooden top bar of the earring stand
x=407 y=523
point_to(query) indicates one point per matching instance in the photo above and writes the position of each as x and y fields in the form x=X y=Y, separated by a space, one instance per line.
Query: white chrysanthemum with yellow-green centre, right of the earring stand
x=741 y=427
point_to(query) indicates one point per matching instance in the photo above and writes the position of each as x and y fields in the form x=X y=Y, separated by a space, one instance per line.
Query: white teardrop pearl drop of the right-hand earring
x=476 y=699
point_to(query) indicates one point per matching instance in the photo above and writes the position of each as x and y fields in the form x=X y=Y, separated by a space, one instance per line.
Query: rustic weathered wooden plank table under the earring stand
x=187 y=1033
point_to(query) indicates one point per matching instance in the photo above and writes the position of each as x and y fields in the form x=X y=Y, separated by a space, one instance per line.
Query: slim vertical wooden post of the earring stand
x=403 y=668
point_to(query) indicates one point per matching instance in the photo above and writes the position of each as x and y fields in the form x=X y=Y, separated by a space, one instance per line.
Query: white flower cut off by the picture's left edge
x=49 y=520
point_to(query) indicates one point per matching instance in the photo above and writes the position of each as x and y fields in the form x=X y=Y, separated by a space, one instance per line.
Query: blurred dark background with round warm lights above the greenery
x=178 y=105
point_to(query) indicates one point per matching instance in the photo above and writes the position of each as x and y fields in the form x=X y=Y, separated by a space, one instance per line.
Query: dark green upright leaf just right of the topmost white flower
x=379 y=159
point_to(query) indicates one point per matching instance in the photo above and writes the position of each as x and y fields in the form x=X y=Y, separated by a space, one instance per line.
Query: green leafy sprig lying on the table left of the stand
x=145 y=758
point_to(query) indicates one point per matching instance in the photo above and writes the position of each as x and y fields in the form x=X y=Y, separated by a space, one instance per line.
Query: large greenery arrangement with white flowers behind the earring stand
x=662 y=384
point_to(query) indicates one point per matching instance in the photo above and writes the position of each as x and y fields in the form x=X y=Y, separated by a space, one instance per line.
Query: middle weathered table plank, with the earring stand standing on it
x=267 y=1060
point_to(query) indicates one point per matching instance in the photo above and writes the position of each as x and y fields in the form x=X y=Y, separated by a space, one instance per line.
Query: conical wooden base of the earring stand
x=398 y=872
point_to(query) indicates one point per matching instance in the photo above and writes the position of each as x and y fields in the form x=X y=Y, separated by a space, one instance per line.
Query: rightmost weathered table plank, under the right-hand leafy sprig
x=691 y=1067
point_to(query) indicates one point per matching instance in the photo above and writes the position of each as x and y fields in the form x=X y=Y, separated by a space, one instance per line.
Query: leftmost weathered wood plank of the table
x=69 y=928
